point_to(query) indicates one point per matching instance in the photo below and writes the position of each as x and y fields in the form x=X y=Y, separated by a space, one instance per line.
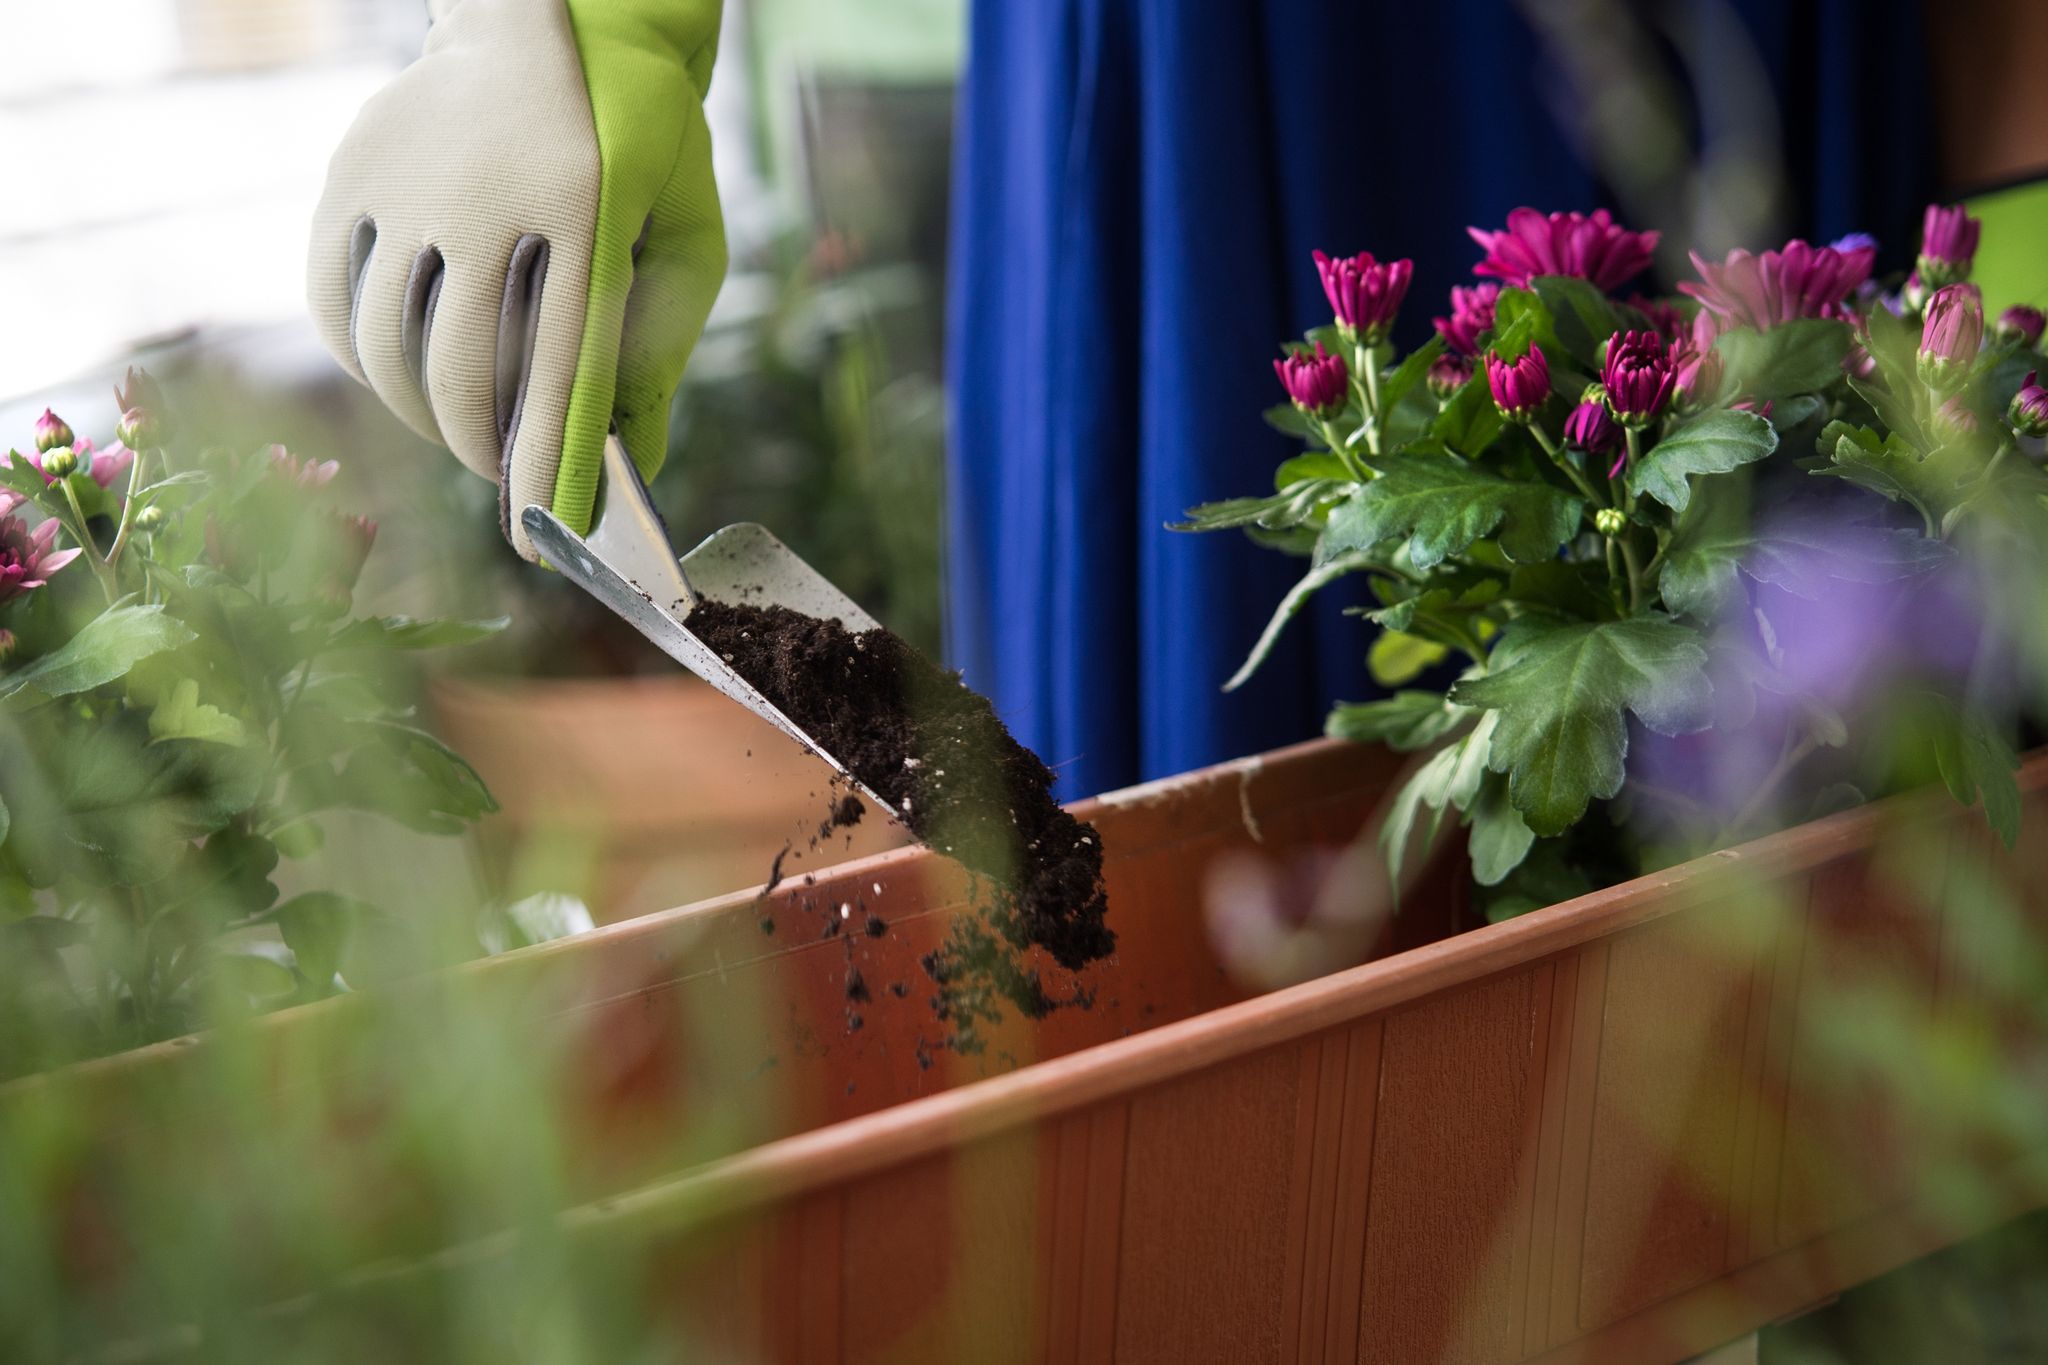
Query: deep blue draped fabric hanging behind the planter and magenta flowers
x=1138 y=189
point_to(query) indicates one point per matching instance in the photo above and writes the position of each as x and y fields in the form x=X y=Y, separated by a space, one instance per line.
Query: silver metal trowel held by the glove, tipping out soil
x=630 y=566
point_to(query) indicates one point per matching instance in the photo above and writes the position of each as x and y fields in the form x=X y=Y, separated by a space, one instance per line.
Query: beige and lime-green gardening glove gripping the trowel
x=521 y=238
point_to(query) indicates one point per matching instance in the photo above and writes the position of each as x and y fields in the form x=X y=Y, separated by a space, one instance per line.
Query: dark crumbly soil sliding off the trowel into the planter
x=914 y=736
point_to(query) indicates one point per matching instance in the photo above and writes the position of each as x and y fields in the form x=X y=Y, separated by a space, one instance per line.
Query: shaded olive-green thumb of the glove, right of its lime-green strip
x=675 y=281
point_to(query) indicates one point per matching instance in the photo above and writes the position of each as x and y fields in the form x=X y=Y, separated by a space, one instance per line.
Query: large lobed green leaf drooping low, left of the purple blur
x=1562 y=697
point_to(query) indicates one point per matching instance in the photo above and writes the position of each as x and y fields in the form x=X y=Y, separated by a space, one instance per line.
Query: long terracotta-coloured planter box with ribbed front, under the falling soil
x=1623 y=1129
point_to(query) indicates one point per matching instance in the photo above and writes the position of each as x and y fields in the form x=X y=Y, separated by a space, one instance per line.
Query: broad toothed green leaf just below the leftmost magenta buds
x=1443 y=504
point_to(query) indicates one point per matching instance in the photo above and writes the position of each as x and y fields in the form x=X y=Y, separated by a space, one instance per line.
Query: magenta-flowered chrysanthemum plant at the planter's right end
x=1603 y=527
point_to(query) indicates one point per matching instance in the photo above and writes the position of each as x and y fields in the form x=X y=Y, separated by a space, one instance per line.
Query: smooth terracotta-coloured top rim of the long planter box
x=986 y=1108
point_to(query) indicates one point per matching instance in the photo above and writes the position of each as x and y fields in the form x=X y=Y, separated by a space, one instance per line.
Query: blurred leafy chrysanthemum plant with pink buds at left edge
x=185 y=695
